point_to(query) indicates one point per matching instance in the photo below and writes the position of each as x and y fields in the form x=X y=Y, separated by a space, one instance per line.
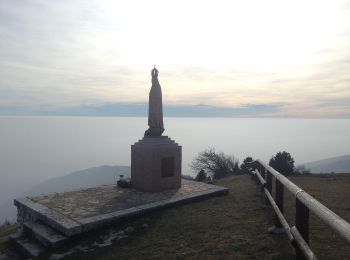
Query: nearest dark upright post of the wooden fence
x=302 y=224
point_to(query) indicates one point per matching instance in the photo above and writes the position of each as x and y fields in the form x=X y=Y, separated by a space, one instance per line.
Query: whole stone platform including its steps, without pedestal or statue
x=55 y=218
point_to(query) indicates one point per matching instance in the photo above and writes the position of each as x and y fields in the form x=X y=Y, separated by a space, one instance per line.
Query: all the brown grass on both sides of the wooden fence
x=228 y=227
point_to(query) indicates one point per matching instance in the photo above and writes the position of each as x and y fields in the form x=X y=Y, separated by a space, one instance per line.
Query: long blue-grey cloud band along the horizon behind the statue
x=141 y=110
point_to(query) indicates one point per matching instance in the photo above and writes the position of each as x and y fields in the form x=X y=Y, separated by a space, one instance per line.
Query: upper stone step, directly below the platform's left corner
x=44 y=234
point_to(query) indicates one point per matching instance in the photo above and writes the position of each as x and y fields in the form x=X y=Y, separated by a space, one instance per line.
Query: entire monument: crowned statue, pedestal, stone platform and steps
x=51 y=219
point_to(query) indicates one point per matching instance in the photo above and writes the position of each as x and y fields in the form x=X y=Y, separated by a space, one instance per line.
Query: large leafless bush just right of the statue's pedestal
x=217 y=165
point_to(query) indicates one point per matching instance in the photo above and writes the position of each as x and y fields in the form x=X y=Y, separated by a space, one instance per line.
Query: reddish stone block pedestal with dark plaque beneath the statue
x=156 y=164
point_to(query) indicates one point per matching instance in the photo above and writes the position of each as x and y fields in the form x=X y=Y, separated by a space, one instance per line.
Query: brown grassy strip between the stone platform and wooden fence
x=228 y=227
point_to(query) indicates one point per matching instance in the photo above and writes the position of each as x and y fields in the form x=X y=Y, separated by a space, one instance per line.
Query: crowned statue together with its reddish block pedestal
x=155 y=159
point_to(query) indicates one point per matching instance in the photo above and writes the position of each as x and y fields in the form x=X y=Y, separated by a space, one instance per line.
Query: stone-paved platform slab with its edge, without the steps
x=76 y=212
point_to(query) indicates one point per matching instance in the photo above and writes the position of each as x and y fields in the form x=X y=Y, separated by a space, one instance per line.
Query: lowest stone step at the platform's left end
x=29 y=247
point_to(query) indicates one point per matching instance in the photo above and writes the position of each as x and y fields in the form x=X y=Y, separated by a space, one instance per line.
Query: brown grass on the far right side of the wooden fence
x=334 y=192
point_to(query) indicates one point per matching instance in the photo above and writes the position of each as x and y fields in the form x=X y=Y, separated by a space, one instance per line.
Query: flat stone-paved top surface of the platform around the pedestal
x=105 y=199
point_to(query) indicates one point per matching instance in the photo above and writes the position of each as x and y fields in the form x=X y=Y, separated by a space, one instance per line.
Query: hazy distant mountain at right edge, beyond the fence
x=340 y=164
